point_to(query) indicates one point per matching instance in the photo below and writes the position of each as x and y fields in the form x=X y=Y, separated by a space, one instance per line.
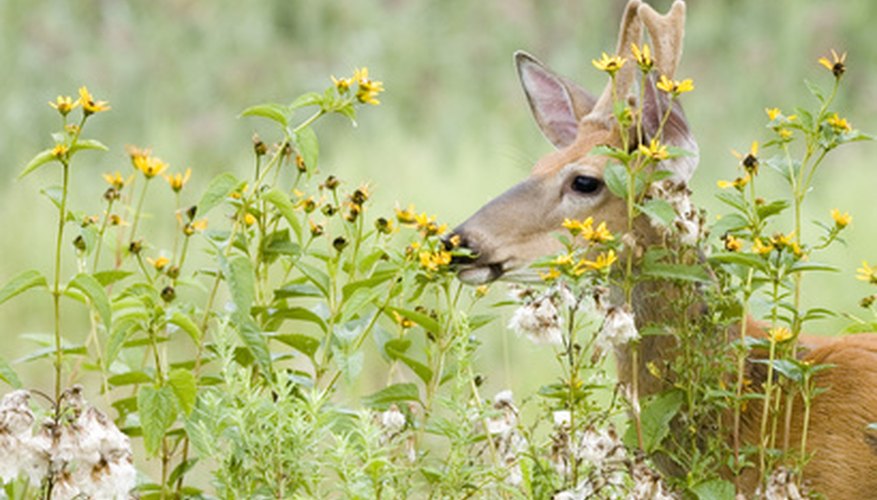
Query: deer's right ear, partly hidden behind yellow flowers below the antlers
x=675 y=133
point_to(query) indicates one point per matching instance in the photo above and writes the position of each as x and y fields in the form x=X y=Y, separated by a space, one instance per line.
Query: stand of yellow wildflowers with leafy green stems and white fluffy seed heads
x=238 y=347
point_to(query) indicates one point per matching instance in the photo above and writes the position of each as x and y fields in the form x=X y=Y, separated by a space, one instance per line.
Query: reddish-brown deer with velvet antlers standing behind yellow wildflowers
x=519 y=226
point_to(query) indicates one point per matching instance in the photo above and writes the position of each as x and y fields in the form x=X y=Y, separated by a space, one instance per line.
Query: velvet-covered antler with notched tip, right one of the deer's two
x=666 y=32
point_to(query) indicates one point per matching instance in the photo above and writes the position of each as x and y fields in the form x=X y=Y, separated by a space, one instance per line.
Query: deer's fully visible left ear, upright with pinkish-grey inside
x=557 y=103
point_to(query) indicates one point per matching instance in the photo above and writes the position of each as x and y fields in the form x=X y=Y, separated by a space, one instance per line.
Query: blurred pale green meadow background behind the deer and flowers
x=453 y=129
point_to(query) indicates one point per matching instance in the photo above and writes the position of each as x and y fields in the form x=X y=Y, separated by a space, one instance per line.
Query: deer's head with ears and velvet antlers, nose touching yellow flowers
x=519 y=225
